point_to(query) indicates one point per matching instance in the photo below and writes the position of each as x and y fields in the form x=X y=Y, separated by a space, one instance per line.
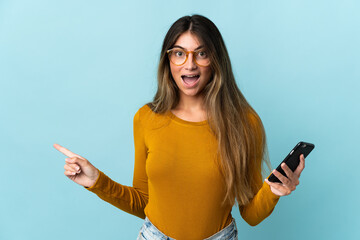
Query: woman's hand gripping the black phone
x=289 y=183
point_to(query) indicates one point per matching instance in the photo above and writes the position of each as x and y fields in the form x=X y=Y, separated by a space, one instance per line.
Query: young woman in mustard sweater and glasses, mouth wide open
x=199 y=147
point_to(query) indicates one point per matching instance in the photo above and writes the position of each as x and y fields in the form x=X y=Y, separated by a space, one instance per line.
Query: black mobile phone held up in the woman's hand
x=292 y=160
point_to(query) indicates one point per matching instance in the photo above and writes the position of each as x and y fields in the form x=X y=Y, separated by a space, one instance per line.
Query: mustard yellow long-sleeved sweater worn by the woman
x=176 y=182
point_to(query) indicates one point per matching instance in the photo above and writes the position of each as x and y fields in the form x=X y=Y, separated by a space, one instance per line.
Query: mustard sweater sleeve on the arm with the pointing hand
x=129 y=199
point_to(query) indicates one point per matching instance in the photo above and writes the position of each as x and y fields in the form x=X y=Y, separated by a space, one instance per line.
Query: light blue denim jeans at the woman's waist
x=149 y=232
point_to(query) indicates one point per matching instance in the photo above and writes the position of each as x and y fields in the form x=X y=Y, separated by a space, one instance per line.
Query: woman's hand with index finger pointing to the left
x=77 y=168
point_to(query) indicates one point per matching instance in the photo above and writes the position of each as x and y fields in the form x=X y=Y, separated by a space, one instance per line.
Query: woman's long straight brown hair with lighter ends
x=236 y=126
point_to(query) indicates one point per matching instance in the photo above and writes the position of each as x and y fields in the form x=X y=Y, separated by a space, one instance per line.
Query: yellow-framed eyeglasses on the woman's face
x=179 y=56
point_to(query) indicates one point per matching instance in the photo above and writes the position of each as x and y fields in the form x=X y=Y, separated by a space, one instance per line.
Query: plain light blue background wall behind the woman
x=75 y=73
